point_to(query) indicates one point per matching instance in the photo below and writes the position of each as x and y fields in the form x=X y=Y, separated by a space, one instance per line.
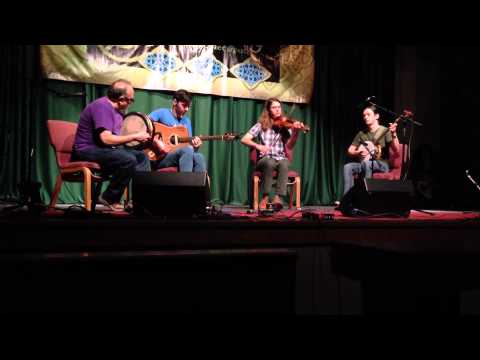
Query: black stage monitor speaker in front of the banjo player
x=378 y=197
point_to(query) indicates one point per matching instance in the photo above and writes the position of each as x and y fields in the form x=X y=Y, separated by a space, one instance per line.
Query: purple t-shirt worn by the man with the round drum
x=98 y=114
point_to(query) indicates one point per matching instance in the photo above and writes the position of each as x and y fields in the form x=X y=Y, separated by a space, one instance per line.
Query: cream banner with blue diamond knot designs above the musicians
x=246 y=71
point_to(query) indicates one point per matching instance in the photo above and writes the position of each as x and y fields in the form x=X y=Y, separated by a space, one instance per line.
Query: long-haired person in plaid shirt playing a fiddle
x=272 y=144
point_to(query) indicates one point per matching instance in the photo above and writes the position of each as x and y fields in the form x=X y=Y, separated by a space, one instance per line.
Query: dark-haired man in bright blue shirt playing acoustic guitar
x=186 y=158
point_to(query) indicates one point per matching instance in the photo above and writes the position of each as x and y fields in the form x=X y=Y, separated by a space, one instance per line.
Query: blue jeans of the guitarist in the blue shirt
x=185 y=158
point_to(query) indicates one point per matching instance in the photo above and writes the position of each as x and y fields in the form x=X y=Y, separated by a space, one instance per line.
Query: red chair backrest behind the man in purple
x=62 y=137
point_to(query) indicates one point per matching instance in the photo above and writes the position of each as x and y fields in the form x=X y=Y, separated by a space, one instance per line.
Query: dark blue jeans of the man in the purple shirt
x=120 y=164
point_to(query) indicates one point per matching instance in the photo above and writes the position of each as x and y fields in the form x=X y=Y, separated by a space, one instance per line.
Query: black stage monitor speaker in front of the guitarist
x=175 y=195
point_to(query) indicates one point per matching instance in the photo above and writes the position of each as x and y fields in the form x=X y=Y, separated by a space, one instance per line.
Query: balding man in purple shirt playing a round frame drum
x=98 y=139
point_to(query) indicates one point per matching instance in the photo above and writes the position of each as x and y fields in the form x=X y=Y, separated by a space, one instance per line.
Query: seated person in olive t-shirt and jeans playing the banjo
x=367 y=150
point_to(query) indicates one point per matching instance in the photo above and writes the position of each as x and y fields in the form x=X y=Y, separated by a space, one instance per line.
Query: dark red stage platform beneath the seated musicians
x=237 y=227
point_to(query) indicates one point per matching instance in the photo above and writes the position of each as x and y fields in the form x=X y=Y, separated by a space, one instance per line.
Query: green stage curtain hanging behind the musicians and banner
x=343 y=76
